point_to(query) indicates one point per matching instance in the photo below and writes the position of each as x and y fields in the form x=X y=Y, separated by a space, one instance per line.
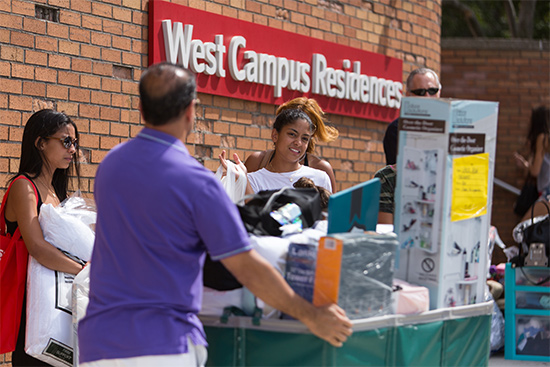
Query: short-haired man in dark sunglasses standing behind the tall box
x=422 y=82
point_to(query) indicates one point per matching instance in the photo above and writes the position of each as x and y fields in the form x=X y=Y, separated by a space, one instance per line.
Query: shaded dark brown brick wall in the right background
x=516 y=73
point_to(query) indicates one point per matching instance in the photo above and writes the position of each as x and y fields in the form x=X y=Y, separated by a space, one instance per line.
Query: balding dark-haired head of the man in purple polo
x=166 y=90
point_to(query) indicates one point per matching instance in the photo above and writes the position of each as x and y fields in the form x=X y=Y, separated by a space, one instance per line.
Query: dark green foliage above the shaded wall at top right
x=492 y=18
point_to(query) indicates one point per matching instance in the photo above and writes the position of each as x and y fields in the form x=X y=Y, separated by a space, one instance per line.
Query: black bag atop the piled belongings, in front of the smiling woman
x=256 y=213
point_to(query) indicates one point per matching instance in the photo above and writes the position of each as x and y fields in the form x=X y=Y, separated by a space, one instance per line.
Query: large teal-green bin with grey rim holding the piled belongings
x=457 y=336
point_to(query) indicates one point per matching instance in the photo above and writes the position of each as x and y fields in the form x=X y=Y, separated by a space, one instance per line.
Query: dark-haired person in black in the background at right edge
x=537 y=163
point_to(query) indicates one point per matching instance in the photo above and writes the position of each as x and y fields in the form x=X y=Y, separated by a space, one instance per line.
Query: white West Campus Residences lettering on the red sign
x=278 y=72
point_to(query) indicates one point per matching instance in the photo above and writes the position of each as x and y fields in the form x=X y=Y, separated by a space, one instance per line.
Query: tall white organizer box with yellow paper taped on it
x=443 y=199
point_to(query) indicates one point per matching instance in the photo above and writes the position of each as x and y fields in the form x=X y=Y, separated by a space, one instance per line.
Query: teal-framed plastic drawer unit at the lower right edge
x=527 y=313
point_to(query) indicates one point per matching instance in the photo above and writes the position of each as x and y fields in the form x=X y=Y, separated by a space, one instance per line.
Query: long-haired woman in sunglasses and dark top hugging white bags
x=49 y=153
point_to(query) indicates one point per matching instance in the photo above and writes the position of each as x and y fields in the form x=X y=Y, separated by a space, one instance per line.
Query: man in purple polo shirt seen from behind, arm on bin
x=159 y=211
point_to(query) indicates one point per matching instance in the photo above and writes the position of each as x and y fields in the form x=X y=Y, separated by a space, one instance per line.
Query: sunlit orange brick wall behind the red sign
x=88 y=65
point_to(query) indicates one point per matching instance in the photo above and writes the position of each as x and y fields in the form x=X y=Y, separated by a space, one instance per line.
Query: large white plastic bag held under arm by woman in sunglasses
x=49 y=332
